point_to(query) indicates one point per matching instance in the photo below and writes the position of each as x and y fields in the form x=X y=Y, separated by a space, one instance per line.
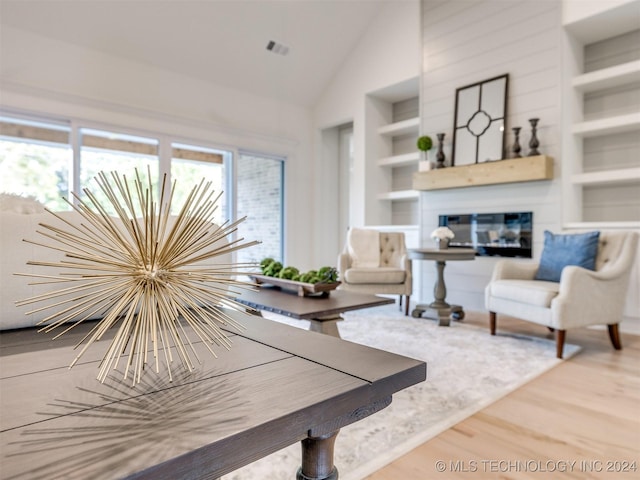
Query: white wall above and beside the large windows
x=55 y=78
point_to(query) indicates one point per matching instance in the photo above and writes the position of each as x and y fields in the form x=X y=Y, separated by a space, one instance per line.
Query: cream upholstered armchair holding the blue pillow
x=580 y=298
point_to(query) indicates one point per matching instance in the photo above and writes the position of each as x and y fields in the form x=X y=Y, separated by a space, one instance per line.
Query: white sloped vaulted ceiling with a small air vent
x=219 y=41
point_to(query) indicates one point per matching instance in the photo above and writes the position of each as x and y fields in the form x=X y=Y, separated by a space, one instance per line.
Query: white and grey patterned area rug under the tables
x=467 y=369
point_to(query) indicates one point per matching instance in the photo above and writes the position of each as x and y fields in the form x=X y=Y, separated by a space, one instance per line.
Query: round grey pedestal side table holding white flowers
x=439 y=308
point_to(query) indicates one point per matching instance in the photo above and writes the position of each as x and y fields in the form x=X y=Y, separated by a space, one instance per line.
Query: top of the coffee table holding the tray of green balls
x=288 y=303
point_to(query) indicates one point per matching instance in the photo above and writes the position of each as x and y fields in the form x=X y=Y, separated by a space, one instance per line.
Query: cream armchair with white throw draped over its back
x=377 y=263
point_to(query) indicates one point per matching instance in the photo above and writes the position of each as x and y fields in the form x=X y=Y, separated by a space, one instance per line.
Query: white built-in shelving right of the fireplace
x=602 y=85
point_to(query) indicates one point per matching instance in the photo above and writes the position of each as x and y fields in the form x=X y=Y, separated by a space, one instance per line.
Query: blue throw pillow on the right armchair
x=562 y=250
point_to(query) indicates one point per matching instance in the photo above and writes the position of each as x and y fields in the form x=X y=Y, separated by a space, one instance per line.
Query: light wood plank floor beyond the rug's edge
x=586 y=410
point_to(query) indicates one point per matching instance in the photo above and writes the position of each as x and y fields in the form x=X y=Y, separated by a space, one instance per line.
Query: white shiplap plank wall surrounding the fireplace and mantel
x=469 y=41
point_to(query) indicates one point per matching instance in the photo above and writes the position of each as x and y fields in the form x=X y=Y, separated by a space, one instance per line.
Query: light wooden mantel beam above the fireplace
x=513 y=170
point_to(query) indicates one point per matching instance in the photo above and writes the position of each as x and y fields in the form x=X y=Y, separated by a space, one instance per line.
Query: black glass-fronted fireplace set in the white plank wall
x=492 y=234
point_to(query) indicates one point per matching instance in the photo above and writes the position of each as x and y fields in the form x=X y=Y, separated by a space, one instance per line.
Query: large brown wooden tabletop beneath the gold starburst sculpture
x=275 y=386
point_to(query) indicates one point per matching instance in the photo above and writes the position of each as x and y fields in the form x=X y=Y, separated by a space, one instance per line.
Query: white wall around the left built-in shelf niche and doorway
x=387 y=54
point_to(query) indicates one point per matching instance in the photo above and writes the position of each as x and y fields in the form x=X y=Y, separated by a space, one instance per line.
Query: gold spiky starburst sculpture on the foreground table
x=142 y=272
